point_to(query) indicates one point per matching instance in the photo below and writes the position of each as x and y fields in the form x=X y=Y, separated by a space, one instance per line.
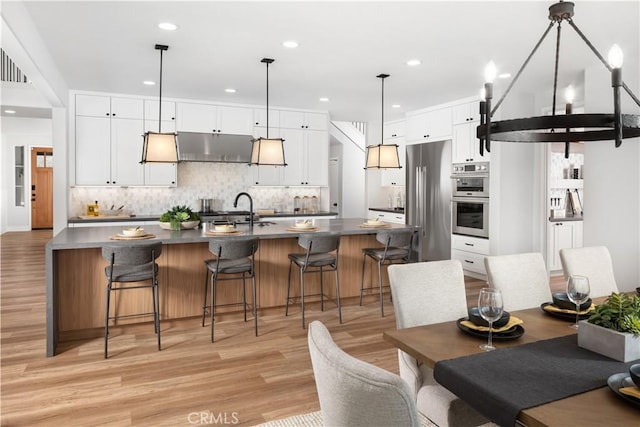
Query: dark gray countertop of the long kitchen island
x=94 y=237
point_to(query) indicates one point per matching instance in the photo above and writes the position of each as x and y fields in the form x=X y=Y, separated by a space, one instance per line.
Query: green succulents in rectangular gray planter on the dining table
x=613 y=329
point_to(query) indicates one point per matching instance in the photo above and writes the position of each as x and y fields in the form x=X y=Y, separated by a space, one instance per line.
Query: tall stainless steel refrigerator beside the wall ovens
x=428 y=200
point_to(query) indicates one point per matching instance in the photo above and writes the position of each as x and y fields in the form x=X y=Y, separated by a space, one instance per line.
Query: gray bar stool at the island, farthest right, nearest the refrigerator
x=396 y=250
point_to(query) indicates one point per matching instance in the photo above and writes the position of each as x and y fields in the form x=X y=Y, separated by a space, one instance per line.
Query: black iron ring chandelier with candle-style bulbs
x=573 y=127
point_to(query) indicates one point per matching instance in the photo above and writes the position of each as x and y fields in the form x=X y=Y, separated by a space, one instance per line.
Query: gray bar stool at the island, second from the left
x=234 y=255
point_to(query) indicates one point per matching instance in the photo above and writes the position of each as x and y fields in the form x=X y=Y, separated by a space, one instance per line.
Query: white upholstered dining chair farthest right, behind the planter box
x=593 y=262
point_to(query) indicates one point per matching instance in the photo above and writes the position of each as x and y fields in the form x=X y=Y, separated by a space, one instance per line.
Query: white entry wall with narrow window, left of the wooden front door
x=29 y=133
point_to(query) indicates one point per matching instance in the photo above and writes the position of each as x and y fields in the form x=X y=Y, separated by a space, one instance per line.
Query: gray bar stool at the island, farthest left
x=128 y=263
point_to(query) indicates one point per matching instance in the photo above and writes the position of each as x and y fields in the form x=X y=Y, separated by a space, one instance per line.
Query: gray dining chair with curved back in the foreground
x=355 y=393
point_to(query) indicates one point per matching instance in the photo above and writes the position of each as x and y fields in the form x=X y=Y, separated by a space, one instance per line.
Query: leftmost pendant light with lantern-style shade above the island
x=160 y=147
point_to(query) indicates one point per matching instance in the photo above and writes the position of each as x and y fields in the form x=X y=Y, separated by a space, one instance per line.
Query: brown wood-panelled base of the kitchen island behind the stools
x=78 y=282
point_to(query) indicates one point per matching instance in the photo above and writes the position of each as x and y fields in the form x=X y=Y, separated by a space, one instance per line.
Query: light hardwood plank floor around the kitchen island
x=240 y=379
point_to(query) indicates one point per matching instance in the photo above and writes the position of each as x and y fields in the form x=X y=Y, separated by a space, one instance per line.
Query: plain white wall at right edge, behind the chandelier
x=612 y=180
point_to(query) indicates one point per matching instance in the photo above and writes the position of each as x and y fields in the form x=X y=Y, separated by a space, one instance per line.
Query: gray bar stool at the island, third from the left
x=320 y=256
